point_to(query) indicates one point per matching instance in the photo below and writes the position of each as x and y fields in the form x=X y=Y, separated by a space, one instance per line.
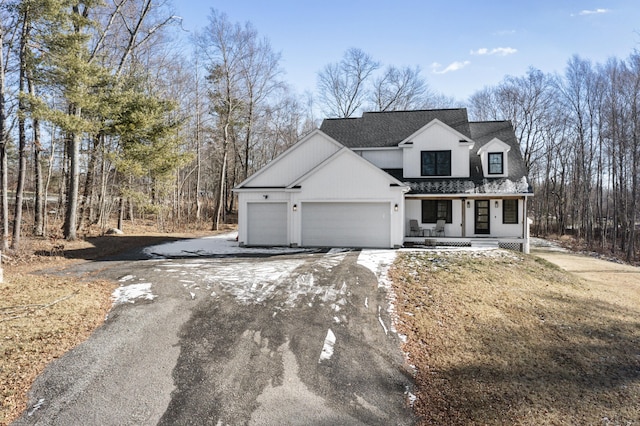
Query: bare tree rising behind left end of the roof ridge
x=342 y=86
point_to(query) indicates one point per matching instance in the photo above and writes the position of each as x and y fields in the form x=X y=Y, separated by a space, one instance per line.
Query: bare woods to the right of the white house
x=580 y=136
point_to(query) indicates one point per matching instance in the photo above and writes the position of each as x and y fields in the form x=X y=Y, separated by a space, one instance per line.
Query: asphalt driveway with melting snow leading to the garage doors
x=214 y=334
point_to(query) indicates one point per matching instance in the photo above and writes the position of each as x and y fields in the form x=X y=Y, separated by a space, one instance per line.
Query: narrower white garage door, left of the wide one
x=267 y=224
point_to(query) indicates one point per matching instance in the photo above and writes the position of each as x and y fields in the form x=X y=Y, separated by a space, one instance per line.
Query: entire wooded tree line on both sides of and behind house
x=107 y=114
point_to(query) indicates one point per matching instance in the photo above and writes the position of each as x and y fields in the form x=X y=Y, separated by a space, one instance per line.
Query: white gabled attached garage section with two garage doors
x=320 y=193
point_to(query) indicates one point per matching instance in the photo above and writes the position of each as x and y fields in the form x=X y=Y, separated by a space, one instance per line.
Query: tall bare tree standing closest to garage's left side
x=242 y=76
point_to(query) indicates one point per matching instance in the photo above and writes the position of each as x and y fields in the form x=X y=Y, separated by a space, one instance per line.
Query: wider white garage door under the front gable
x=346 y=225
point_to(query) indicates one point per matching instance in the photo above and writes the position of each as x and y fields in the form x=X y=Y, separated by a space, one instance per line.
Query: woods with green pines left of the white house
x=106 y=116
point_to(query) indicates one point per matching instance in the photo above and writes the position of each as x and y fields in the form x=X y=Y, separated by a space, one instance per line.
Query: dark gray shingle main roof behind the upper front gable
x=386 y=129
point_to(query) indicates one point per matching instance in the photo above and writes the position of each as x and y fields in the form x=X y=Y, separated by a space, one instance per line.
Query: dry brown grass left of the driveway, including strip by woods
x=44 y=316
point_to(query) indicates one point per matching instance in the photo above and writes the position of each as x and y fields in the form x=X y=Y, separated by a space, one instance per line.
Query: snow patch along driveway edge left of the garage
x=224 y=244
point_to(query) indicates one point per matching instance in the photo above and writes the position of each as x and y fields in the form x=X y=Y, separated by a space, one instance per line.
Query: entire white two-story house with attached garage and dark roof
x=388 y=179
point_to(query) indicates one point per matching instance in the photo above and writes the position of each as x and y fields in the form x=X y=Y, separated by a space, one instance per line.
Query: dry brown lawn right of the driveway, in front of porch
x=512 y=339
